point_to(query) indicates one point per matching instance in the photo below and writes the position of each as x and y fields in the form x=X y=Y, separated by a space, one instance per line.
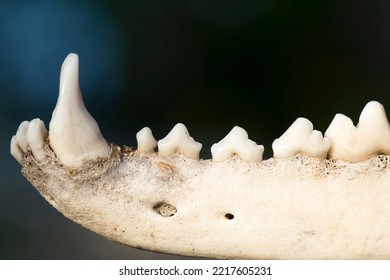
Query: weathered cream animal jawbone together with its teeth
x=299 y=207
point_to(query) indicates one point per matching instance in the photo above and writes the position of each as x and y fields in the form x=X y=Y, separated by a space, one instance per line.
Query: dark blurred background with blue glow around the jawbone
x=211 y=65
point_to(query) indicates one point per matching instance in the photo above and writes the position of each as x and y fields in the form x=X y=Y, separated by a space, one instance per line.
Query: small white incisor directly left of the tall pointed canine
x=36 y=134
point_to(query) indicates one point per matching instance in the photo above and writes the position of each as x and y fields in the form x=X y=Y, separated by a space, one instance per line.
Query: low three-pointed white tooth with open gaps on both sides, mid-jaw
x=237 y=143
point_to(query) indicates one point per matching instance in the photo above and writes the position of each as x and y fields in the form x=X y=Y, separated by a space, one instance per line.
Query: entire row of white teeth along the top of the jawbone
x=75 y=137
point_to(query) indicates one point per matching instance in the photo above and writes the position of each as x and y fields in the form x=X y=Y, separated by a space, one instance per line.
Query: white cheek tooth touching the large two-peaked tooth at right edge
x=300 y=137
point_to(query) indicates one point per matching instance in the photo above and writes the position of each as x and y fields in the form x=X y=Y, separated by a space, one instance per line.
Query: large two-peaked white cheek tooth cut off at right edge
x=371 y=136
